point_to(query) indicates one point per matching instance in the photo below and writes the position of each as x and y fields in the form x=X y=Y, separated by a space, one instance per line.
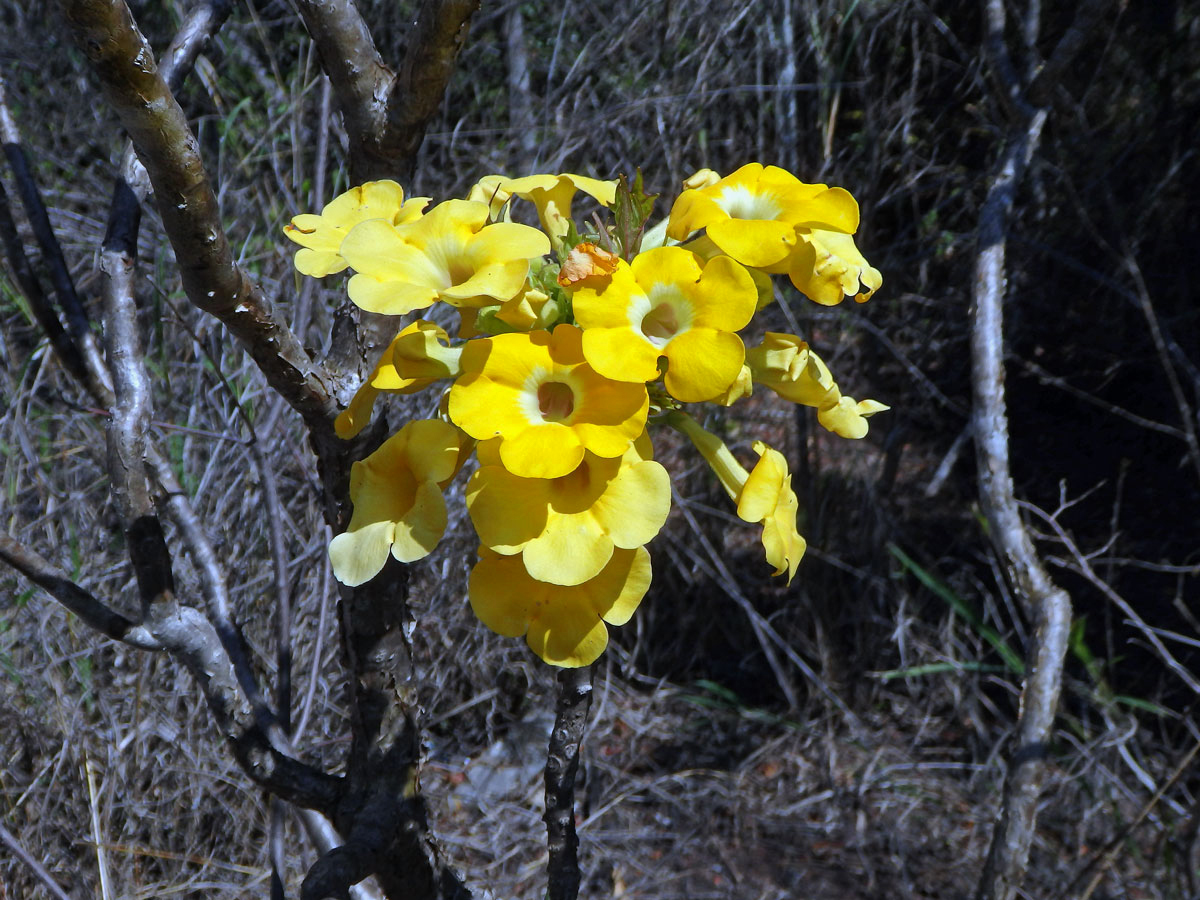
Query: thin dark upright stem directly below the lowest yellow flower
x=562 y=766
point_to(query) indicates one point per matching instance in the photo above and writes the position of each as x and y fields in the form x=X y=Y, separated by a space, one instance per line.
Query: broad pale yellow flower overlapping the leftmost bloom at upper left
x=451 y=254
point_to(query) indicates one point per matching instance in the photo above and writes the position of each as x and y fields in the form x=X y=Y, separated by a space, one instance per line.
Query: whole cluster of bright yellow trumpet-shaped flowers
x=569 y=347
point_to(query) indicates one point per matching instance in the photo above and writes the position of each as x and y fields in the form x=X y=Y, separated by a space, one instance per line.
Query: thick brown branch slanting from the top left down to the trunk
x=136 y=91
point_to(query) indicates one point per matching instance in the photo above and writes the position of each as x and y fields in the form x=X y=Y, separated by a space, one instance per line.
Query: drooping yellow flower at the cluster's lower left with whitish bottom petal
x=399 y=508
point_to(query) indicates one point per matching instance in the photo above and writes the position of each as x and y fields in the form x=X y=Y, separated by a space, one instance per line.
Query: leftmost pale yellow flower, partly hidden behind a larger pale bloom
x=321 y=237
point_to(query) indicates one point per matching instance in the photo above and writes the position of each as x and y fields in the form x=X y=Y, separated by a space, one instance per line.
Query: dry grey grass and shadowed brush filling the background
x=709 y=773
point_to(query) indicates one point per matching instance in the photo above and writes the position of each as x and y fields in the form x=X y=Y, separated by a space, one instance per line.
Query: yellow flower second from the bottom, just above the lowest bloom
x=567 y=529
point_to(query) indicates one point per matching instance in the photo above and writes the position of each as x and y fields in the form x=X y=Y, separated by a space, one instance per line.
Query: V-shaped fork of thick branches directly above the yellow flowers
x=386 y=115
